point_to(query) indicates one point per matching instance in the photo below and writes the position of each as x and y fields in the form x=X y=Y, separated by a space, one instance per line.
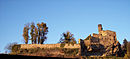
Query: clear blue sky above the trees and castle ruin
x=80 y=17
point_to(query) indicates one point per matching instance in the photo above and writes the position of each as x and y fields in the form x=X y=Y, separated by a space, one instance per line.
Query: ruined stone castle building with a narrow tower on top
x=105 y=43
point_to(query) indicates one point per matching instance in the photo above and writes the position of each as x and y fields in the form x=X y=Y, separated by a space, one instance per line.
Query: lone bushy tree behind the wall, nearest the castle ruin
x=67 y=38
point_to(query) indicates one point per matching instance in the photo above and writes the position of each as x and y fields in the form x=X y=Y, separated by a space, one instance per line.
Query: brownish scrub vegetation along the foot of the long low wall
x=45 y=51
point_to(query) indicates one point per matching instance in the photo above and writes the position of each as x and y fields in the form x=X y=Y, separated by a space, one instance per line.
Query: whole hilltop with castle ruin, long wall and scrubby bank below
x=102 y=44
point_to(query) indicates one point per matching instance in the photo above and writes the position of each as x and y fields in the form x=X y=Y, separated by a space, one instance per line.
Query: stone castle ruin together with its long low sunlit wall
x=104 y=43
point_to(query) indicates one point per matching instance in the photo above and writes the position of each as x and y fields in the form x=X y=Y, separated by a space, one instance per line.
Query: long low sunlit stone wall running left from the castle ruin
x=28 y=46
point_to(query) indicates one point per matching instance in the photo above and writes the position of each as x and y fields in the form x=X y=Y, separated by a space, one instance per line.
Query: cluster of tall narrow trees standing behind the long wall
x=38 y=33
